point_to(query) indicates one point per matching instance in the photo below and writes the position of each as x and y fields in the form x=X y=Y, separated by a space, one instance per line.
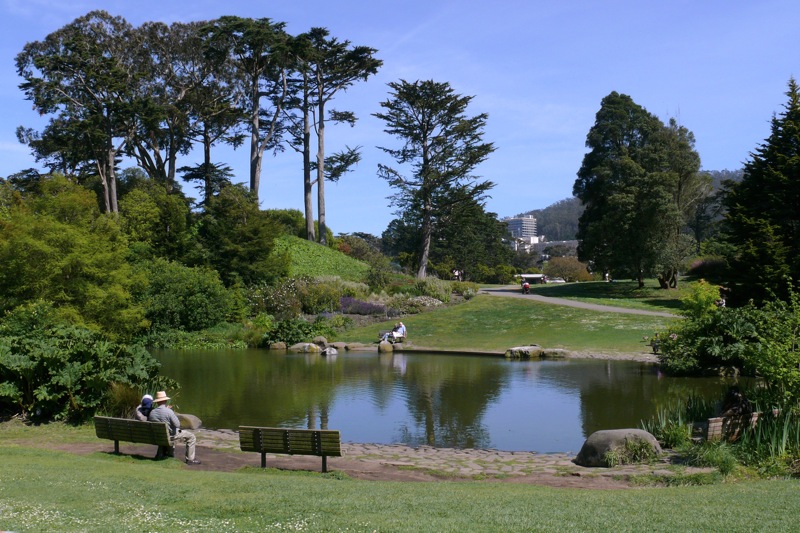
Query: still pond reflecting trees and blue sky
x=452 y=401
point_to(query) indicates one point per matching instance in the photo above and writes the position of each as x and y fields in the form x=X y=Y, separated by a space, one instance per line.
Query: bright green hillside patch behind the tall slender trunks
x=311 y=259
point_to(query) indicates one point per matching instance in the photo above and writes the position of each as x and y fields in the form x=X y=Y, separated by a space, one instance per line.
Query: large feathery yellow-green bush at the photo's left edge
x=68 y=253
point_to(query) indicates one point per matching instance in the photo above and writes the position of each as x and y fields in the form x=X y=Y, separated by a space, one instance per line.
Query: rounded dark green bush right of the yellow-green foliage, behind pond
x=180 y=297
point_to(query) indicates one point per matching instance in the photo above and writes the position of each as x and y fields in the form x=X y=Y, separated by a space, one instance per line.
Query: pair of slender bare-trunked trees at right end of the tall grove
x=325 y=66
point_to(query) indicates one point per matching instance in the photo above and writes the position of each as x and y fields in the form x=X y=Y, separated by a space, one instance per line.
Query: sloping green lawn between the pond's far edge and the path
x=496 y=323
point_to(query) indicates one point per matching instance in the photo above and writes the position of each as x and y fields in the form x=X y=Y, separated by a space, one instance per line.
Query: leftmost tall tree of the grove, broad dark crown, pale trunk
x=84 y=74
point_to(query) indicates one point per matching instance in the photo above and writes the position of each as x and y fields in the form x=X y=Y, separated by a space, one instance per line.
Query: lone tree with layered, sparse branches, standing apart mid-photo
x=441 y=147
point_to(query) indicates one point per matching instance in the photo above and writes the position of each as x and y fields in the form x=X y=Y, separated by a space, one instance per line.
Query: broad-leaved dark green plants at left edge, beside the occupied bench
x=50 y=370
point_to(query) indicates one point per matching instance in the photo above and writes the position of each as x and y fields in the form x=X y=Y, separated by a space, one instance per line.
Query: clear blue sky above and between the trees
x=539 y=69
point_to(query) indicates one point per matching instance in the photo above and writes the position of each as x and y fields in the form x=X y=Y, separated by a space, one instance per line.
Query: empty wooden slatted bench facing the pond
x=322 y=442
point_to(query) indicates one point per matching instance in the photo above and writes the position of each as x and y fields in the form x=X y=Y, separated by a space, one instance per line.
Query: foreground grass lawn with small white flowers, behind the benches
x=55 y=491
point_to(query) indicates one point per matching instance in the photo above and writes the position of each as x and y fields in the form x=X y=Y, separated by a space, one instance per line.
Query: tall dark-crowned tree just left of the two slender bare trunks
x=259 y=55
